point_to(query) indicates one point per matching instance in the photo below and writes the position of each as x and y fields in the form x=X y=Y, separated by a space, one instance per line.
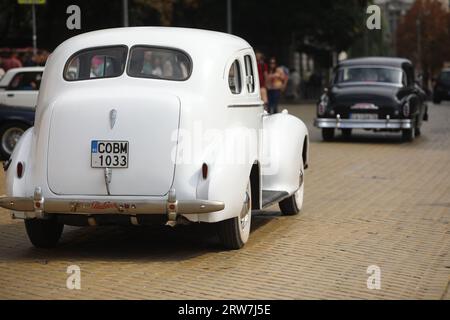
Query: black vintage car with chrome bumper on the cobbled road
x=377 y=94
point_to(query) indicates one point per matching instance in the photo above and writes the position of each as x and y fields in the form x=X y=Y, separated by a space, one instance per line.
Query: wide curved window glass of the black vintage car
x=370 y=75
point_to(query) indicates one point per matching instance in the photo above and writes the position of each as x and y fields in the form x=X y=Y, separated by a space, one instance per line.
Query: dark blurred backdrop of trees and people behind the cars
x=307 y=37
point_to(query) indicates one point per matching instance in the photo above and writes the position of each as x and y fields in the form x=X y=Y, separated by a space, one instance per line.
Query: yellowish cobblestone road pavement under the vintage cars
x=369 y=201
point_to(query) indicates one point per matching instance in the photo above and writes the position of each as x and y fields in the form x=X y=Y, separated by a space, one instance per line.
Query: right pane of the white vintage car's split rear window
x=159 y=63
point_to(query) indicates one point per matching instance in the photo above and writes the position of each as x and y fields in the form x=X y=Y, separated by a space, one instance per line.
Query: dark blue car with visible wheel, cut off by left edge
x=14 y=121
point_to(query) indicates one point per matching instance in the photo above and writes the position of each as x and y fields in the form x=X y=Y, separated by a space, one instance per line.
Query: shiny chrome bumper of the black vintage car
x=387 y=123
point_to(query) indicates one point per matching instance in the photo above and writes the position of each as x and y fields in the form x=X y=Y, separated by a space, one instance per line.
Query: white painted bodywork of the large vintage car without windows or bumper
x=70 y=114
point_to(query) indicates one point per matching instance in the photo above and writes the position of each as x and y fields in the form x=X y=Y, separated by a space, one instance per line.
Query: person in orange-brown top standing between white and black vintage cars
x=275 y=83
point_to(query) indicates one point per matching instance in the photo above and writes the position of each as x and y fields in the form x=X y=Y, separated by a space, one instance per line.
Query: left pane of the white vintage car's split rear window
x=95 y=63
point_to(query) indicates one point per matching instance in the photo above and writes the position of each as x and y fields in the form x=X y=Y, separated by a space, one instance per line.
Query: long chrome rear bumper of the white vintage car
x=38 y=206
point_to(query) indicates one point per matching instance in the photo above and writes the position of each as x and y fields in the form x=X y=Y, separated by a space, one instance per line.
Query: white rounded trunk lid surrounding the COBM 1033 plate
x=146 y=119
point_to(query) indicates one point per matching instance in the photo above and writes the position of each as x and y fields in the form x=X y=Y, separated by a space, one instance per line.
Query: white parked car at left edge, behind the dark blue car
x=20 y=87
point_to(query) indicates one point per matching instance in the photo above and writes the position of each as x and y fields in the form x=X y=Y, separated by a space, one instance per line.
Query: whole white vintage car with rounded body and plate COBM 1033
x=135 y=125
